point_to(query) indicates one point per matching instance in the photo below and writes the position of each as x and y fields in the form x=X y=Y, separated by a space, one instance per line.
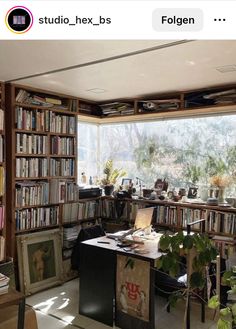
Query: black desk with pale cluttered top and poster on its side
x=99 y=279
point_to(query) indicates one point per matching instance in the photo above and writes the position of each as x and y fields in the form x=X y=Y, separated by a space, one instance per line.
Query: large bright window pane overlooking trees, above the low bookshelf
x=184 y=151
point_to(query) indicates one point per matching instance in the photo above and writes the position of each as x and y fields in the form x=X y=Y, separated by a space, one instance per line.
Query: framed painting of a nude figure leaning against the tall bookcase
x=40 y=260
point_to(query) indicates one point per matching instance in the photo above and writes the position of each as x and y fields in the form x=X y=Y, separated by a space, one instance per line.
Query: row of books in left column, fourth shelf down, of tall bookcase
x=31 y=167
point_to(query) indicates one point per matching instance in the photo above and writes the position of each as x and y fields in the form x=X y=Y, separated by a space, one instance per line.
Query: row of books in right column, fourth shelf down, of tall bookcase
x=62 y=167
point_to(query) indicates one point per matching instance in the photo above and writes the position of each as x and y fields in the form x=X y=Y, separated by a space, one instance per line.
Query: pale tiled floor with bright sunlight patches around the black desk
x=57 y=308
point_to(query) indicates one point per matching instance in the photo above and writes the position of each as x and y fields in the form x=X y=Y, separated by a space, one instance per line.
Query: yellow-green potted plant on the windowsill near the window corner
x=111 y=176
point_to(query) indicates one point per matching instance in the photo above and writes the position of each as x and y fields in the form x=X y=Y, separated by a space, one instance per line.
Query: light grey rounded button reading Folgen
x=184 y=19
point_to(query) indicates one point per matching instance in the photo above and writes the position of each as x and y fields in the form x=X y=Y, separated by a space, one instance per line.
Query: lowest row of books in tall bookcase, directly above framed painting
x=32 y=218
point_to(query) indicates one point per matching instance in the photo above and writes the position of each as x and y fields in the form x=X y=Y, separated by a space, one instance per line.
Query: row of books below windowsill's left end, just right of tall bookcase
x=77 y=211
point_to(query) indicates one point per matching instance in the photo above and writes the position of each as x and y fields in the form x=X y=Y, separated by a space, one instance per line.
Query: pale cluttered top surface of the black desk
x=110 y=244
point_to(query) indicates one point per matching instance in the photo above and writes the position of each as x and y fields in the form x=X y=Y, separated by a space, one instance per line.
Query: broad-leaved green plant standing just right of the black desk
x=197 y=249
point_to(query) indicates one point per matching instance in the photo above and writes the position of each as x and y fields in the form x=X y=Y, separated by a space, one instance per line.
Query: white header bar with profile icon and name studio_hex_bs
x=117 y=20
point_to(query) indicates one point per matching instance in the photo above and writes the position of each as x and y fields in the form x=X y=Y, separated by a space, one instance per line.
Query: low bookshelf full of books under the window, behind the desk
x=220 y=222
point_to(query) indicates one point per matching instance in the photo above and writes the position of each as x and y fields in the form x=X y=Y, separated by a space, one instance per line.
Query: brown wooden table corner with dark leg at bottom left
x=11 y=298
